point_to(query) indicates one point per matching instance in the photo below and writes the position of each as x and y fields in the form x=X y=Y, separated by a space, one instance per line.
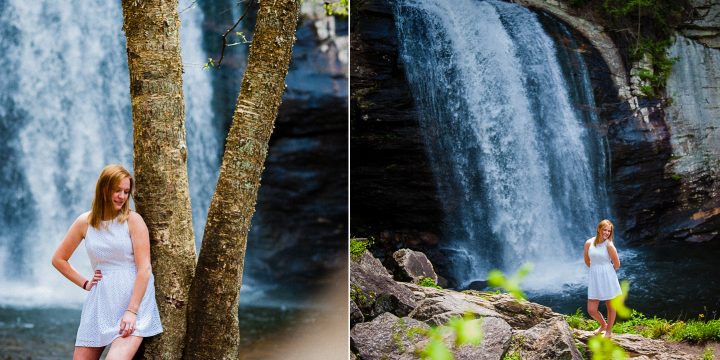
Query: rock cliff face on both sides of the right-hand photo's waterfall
x=654 y=199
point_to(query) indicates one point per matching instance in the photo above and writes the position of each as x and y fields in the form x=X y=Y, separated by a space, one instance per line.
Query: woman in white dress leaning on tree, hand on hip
x=120 y=308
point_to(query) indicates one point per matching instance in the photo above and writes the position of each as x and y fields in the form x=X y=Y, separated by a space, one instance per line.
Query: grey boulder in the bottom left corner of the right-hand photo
x=386 y=337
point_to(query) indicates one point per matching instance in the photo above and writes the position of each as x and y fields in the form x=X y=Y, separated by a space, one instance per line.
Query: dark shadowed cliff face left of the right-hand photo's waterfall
x=392 y=183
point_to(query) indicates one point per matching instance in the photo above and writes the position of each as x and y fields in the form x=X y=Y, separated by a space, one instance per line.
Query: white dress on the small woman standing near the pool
x=602 y=278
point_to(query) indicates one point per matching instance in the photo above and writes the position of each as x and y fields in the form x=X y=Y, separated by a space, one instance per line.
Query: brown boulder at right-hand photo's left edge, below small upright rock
x=374 y=291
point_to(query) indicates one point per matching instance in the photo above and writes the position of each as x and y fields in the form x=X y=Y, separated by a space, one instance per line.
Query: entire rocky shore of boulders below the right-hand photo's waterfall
x=385 y=315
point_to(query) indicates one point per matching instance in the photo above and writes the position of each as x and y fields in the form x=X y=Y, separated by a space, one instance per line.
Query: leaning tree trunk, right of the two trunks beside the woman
x=213 y=331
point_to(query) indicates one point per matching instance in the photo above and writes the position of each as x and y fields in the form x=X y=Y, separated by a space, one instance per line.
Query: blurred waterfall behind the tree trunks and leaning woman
x=65 y=114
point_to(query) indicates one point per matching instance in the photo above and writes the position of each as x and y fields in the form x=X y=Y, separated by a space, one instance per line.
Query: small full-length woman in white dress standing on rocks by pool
x=603 y=285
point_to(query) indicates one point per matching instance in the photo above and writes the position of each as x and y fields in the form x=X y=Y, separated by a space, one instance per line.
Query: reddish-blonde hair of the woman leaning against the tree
x=109 y=178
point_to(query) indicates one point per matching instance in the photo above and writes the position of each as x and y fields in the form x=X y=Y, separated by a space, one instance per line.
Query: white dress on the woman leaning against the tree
x=110 y=250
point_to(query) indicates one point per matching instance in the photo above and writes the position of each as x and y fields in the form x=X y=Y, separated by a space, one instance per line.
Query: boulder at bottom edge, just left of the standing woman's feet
x=551 y=339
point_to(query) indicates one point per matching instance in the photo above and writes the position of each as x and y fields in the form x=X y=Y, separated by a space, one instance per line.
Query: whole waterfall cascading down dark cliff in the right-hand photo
x=521 y=176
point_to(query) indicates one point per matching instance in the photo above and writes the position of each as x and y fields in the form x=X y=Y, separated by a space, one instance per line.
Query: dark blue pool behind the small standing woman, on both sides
x=676 y=281
